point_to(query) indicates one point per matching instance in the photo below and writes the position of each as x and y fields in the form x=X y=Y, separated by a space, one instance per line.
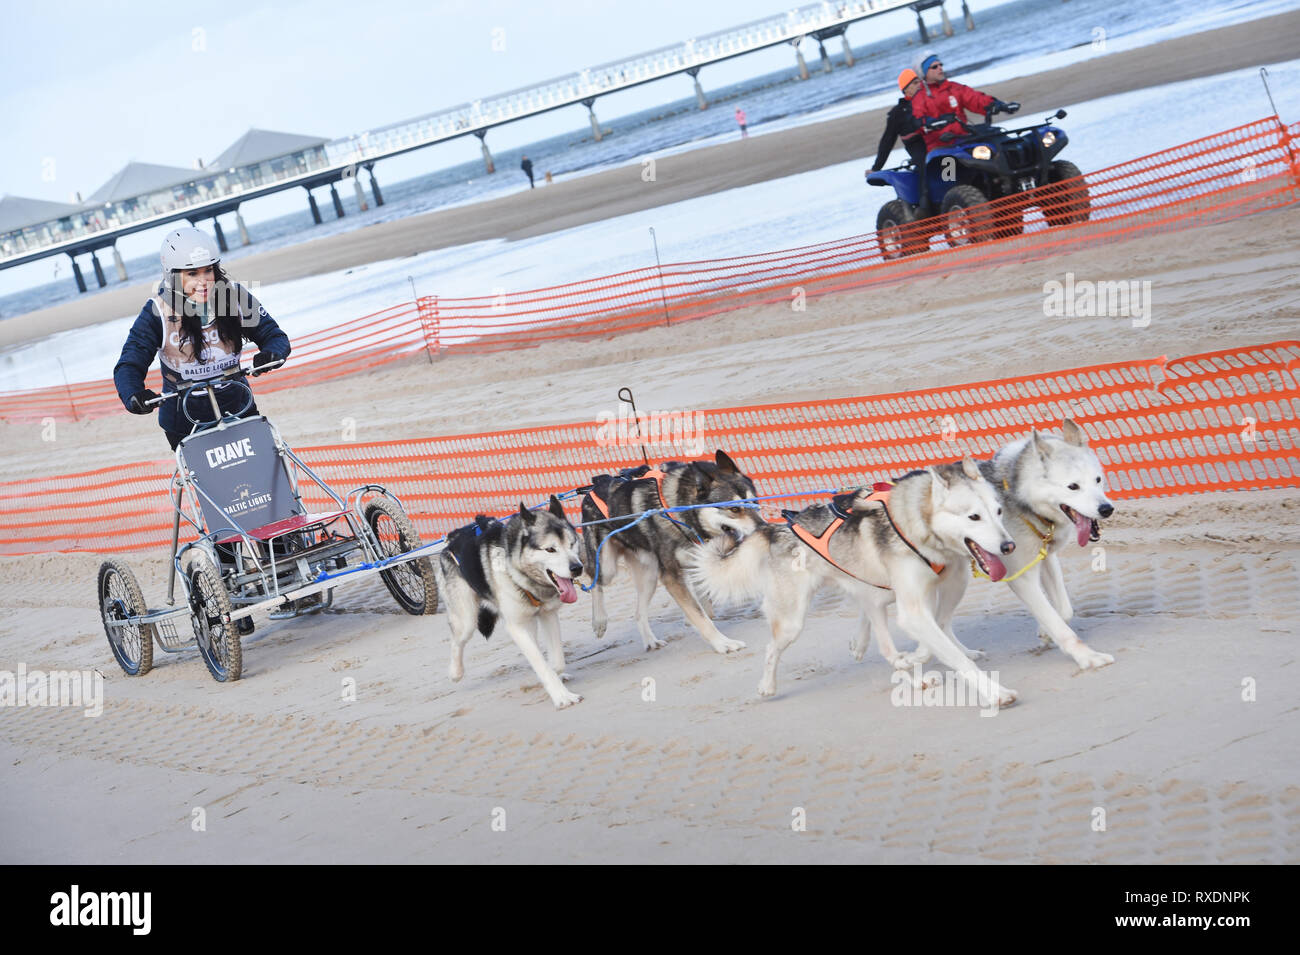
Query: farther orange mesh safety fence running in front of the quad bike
x=1225 y=176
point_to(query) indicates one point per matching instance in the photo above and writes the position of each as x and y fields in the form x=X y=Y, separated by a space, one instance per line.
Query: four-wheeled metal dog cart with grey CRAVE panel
x=237 y=485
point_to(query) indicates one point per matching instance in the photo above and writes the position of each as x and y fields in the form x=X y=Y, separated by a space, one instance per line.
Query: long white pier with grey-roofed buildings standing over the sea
x=263 y=163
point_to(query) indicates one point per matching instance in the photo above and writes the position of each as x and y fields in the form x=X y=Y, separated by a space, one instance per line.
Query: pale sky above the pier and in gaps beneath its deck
x=88 y=88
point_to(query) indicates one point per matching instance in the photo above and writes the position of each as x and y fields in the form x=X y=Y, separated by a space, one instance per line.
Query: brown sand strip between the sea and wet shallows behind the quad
x=701 y=172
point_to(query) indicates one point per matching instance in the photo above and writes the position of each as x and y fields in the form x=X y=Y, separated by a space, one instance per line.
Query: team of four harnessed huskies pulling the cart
x=915 y=542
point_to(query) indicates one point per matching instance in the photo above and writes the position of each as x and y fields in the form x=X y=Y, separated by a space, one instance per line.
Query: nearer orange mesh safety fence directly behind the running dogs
x=1225 y=420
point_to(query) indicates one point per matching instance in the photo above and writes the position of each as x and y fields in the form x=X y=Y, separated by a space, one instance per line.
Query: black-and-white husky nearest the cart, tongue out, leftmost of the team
x=521 y=570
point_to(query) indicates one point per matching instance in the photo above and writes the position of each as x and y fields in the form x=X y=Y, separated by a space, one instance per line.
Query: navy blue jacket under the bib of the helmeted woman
x=144 y=345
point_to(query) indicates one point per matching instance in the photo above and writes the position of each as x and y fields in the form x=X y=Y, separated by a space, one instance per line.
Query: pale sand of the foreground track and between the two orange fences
x=1199 y=596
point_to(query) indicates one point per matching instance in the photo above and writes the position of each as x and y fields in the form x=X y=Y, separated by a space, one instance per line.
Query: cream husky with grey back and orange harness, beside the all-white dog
x=908 y=544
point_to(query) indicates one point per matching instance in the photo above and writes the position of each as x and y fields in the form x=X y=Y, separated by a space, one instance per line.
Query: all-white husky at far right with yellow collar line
x=1054 y=492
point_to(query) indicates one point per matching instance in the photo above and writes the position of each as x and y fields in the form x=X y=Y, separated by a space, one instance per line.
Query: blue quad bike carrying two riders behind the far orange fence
x=972 y=171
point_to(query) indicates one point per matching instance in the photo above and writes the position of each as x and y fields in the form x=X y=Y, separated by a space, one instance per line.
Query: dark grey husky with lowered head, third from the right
x=656 y=548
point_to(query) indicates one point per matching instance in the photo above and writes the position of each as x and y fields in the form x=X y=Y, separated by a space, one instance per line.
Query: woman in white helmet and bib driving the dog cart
x=197 y=325
